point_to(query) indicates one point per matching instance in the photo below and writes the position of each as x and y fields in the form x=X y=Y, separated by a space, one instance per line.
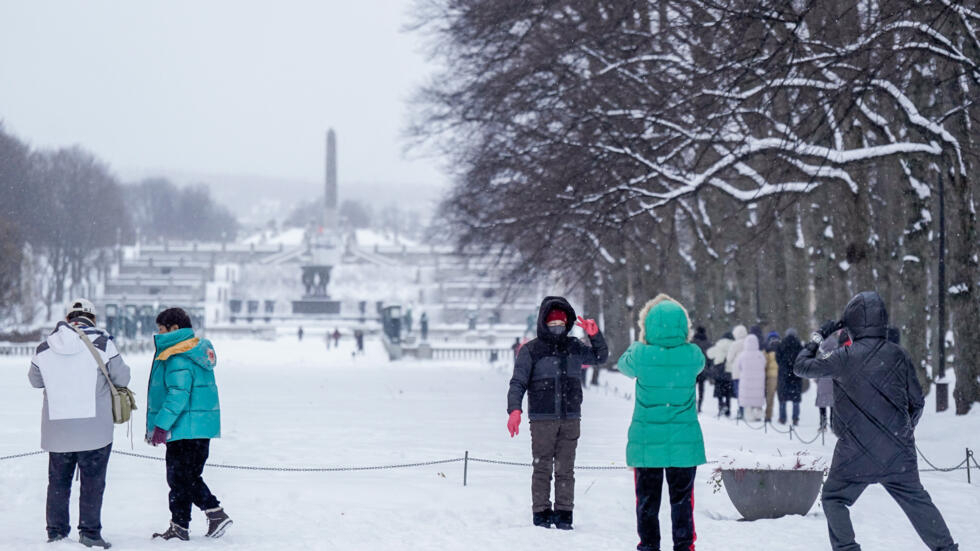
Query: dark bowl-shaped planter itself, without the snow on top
x=759 y=493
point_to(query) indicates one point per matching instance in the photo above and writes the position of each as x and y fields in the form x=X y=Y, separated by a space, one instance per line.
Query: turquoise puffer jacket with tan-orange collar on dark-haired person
x=183 y=395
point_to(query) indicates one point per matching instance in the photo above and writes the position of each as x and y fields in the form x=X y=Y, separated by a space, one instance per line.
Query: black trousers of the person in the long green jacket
x=680 y=489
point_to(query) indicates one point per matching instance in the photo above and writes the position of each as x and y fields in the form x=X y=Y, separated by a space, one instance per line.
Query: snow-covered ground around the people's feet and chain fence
x=289 y=404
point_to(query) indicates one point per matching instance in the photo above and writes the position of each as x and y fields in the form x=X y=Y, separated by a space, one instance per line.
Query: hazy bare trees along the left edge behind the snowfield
x=63 y=210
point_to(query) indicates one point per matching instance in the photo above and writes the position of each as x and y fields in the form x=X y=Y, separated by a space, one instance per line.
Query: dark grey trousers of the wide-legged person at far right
x=838 y=495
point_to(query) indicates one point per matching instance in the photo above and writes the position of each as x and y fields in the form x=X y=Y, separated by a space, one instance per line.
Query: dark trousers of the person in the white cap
x=61 y=468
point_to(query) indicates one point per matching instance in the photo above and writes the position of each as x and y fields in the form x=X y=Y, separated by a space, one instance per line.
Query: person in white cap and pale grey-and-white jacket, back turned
x=76 y=417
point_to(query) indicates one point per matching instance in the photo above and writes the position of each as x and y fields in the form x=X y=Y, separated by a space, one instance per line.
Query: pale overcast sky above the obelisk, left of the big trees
x=217 y=87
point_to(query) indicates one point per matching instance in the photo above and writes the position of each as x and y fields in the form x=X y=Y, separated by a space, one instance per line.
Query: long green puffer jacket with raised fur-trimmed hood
x=665 y=431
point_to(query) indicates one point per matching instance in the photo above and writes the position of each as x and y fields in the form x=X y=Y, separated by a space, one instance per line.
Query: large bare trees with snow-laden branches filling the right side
x=762 y=160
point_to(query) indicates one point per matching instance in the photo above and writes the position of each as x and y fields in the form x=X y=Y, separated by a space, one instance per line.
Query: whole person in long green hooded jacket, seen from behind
x=665 y=436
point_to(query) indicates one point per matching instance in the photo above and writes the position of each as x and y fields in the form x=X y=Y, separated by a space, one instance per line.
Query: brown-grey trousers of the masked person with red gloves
x=553 y=445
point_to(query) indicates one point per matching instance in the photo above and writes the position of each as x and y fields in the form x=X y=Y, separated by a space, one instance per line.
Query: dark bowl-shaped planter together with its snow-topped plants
x=770 y=486
